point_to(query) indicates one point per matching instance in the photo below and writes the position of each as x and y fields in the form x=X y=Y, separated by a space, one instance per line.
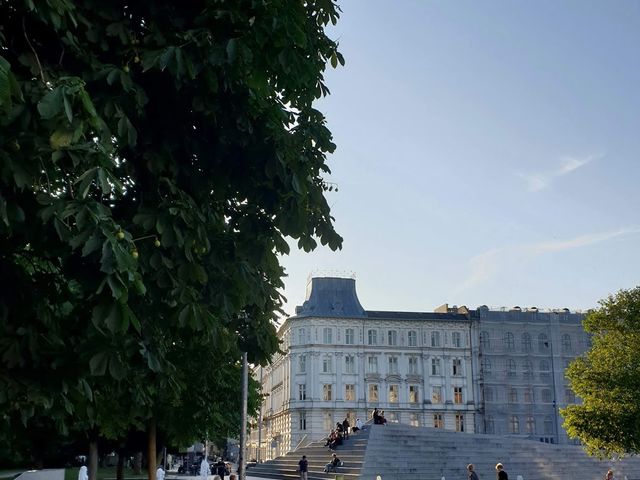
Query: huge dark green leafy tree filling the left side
x=154 y=157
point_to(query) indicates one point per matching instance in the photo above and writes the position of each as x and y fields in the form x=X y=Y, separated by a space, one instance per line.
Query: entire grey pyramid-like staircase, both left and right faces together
x=402 y=452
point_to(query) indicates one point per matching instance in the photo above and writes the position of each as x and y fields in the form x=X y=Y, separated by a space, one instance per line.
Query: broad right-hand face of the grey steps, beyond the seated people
x=403 y=452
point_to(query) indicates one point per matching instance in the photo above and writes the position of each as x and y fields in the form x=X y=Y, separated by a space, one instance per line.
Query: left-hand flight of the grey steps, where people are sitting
x=351 y=452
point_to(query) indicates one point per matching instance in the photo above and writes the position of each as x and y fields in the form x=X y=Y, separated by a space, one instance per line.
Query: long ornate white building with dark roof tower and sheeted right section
x=466 y=370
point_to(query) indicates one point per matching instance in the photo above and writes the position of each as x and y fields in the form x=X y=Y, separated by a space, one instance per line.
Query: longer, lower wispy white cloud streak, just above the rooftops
x=488 y=264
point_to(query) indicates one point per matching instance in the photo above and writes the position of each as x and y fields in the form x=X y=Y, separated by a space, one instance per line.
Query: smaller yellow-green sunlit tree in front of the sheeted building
x=607 y=378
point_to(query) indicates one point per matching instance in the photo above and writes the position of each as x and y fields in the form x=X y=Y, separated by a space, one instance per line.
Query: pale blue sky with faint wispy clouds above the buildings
x=487 y=154
